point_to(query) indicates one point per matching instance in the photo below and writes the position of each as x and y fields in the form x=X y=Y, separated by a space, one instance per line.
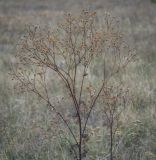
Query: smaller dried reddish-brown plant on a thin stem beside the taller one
x=114 y=100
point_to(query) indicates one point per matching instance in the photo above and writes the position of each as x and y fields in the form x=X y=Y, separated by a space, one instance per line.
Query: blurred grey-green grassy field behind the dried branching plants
x=26 y=125
